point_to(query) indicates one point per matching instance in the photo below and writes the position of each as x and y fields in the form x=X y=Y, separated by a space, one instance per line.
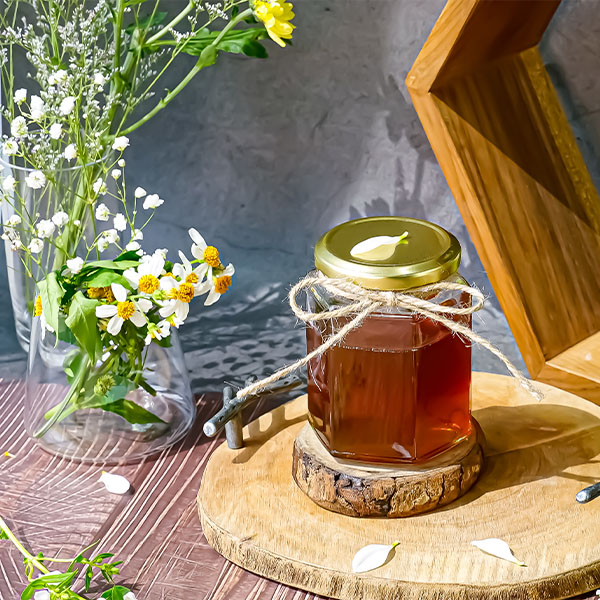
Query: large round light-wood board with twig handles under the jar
x=538 y=456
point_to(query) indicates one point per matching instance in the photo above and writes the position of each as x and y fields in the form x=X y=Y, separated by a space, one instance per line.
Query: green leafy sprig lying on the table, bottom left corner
x=61 y=585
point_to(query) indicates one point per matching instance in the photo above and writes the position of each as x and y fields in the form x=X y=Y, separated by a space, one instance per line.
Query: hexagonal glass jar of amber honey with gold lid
x=397 y=389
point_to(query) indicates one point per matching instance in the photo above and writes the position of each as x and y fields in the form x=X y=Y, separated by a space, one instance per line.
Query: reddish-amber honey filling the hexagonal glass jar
x=398 y=390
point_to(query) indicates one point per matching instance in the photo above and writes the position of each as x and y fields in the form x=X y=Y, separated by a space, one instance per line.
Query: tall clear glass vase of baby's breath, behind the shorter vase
x=63 y=191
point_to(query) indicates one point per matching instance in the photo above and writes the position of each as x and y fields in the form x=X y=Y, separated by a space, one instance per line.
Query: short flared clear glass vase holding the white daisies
x=83 y=412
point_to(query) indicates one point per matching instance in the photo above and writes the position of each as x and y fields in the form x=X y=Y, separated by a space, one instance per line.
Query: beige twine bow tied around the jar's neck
x=363 y=302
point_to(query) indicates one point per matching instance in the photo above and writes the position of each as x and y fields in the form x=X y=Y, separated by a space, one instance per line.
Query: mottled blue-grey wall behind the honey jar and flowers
x=264 y=156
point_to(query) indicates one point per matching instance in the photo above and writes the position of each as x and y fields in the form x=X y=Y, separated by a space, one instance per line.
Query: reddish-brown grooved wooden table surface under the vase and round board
x=58 y=507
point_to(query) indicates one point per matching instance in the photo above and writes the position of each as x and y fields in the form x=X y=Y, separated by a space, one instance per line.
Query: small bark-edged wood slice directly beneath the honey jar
x=383 y=491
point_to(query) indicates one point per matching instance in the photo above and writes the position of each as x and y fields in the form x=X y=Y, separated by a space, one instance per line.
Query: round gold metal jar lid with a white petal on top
x=388 y=253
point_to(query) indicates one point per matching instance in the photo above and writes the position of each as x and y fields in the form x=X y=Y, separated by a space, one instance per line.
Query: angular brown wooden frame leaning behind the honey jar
x=498 y=130
